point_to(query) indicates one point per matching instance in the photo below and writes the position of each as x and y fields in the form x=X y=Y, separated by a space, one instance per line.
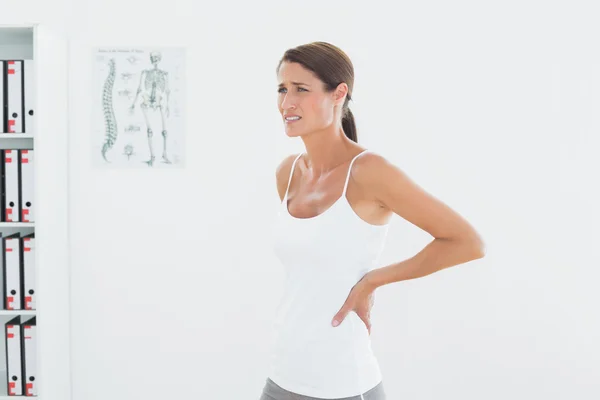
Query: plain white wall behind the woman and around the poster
x=493 y=110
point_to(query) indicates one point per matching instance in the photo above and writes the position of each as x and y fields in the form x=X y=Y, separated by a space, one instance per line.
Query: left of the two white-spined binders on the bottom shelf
x=14 y=364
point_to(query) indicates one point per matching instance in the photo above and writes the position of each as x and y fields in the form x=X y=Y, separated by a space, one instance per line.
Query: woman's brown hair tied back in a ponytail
x=332 y=66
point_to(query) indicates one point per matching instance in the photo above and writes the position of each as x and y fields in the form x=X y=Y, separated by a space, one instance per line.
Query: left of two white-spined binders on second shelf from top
x=10 y=185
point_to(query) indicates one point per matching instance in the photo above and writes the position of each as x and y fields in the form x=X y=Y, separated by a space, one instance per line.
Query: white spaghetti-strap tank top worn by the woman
x=323 y=258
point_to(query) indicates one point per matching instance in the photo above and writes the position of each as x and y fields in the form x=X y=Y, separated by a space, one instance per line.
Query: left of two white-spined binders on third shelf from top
x=12 y=272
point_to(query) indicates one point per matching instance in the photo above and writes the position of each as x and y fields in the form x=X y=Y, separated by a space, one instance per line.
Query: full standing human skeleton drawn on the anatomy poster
x=154 y=90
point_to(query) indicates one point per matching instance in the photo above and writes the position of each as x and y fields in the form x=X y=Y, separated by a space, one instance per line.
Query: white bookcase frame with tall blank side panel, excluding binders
x=23 y=37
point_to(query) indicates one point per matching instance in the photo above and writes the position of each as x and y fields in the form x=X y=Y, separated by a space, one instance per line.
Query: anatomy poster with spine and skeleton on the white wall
x=138 y=113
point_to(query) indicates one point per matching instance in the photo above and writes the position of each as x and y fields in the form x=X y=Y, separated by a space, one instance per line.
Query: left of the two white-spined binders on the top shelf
x=14 y=88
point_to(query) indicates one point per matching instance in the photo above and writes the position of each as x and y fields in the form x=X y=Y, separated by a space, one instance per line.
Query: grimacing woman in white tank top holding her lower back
x=337 y=201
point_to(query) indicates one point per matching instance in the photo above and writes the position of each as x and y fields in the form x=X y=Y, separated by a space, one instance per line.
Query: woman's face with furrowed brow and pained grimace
x=301 y=94
